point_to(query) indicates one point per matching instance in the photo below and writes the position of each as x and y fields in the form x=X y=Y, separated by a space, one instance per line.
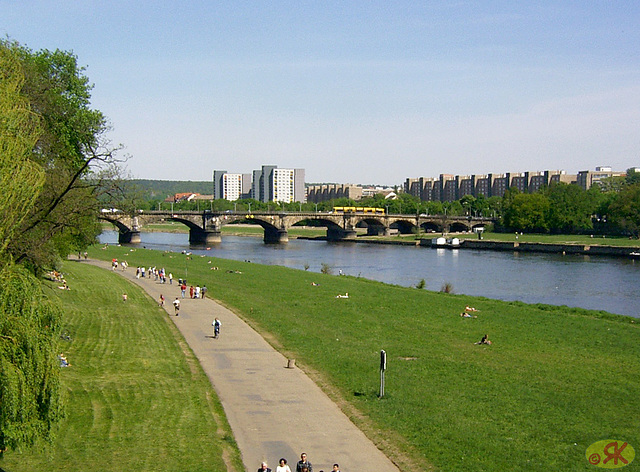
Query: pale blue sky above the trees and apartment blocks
x=369 y=92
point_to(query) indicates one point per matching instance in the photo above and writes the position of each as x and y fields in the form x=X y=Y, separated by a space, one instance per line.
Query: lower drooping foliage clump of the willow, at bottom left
x=30 y=401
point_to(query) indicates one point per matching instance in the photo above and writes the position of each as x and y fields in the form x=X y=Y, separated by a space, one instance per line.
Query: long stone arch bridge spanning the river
x=205 y=226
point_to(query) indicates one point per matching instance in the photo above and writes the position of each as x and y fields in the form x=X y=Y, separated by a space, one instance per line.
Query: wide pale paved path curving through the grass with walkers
x=273 y=411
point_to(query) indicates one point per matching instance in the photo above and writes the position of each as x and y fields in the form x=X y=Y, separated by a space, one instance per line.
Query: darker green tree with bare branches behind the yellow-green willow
x=78 y=160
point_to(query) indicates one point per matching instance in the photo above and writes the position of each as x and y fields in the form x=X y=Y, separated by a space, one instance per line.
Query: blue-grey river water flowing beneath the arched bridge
x=598 y=283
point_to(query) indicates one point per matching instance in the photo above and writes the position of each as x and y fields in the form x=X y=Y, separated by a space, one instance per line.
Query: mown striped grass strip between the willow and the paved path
x=135 y=396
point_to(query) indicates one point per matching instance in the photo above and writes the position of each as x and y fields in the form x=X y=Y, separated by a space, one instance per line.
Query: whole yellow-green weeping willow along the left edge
x=30 y=402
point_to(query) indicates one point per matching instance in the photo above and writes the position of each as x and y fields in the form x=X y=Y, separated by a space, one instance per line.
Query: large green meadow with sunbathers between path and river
x=555 y=380
